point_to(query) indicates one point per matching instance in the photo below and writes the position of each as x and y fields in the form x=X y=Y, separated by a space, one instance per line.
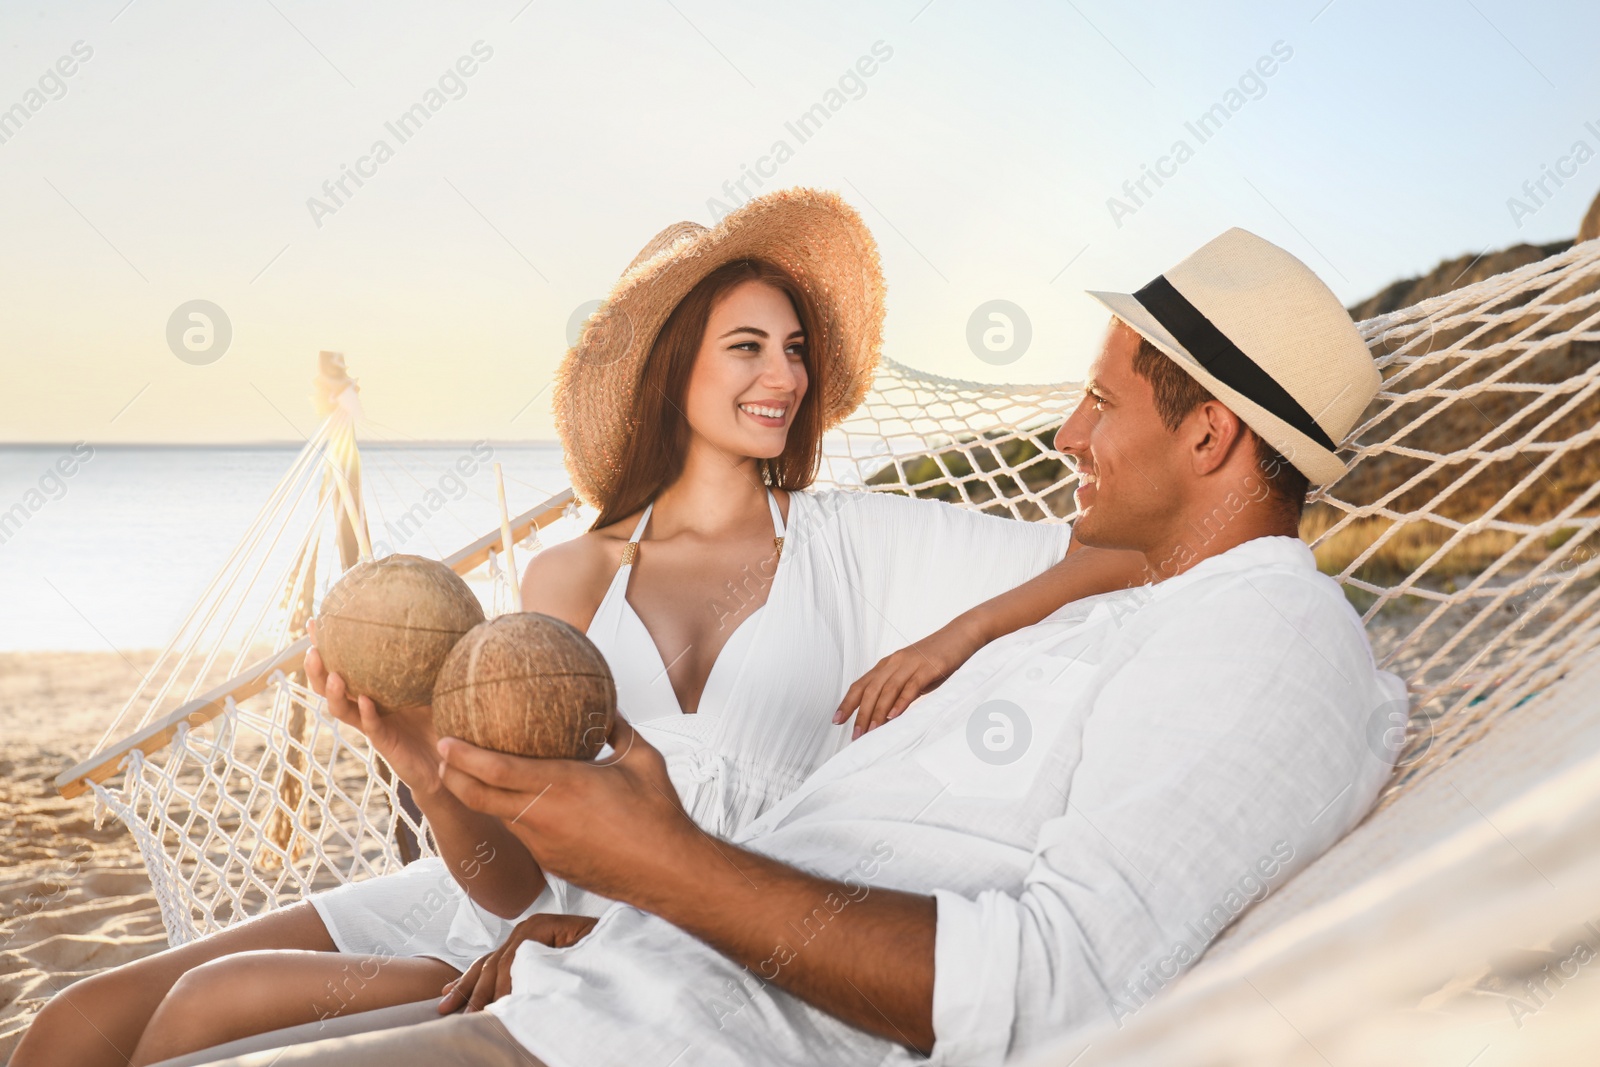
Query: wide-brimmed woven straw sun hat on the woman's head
x=814 y=236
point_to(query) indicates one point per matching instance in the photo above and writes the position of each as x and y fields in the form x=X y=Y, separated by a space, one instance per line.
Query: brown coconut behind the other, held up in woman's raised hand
x=388 y=626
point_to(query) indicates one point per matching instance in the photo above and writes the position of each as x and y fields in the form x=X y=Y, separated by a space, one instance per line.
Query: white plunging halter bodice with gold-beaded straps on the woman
x=644 y=692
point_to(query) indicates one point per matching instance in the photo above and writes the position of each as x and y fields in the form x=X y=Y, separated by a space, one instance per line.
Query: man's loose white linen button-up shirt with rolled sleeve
x=1090 y=801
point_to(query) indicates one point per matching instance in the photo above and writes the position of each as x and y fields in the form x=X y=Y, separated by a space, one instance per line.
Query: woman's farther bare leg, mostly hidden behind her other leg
x=98 y=1021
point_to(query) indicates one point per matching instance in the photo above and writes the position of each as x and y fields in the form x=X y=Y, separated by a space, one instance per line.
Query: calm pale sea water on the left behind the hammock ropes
x=110 y=546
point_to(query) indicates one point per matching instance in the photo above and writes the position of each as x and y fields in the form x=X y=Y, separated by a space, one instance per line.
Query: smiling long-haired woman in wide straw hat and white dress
x=732 y=607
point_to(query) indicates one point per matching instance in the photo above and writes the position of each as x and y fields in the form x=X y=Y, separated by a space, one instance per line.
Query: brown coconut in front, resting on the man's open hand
x=527 y=685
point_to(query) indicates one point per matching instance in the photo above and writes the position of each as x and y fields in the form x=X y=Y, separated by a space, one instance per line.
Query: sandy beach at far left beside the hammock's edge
x=74 y=900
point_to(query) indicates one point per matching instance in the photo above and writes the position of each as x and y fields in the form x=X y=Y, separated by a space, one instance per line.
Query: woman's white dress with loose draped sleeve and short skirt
x=860 y=577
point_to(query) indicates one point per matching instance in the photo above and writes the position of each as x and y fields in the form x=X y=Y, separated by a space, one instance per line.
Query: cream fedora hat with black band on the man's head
x=1263 y=334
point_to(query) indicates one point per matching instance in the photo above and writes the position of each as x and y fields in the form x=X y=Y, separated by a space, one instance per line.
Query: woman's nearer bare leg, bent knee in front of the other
x=254 y=993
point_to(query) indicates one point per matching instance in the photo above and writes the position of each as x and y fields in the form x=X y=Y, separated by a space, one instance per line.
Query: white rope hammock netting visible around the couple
x=1465 y=535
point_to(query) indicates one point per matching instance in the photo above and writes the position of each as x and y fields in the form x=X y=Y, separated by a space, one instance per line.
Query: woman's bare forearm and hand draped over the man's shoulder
x=902 y=677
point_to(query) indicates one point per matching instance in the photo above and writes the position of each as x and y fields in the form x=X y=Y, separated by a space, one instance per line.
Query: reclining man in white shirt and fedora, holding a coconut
x=1060 y=829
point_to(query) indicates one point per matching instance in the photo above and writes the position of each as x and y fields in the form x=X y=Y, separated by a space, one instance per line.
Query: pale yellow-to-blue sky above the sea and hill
x=177 y=162
